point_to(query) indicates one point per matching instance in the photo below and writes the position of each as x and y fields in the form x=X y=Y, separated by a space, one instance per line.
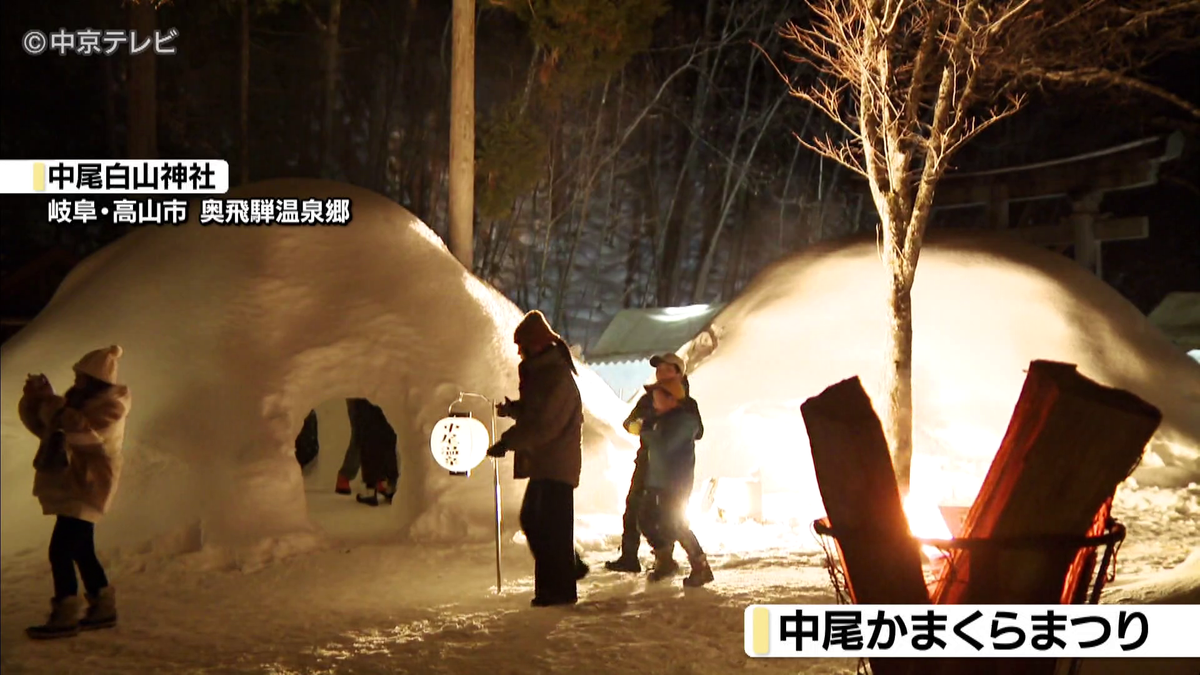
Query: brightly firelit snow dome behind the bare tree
x=983 y=309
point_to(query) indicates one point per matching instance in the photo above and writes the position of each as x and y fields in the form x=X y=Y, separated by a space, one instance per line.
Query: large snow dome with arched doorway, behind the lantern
x=232 y=336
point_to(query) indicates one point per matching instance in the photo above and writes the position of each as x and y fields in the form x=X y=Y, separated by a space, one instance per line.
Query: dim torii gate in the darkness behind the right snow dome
x=1084 y=180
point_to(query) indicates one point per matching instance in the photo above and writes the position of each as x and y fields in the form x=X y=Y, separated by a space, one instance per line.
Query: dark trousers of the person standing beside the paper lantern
x=548 y=519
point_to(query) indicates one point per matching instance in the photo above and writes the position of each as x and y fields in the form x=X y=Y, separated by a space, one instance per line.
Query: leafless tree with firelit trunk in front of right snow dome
x=910 y=82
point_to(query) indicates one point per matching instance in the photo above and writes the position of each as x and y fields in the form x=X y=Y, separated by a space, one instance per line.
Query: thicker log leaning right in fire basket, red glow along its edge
x=1071 y=443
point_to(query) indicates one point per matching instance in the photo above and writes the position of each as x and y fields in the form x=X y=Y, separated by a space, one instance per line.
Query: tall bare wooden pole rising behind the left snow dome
x=463 y=134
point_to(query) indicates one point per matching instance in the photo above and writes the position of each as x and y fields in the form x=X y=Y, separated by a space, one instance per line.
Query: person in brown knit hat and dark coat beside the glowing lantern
x=547 y=443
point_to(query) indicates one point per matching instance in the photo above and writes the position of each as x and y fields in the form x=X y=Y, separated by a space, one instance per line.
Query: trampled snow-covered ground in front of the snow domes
x=367 y=604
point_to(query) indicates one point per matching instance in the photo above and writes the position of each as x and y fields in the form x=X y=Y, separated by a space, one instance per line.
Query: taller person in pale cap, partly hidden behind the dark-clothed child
x=667 y=368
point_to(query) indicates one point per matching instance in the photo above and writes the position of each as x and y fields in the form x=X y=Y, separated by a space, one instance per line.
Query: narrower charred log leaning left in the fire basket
x=859 y=486
